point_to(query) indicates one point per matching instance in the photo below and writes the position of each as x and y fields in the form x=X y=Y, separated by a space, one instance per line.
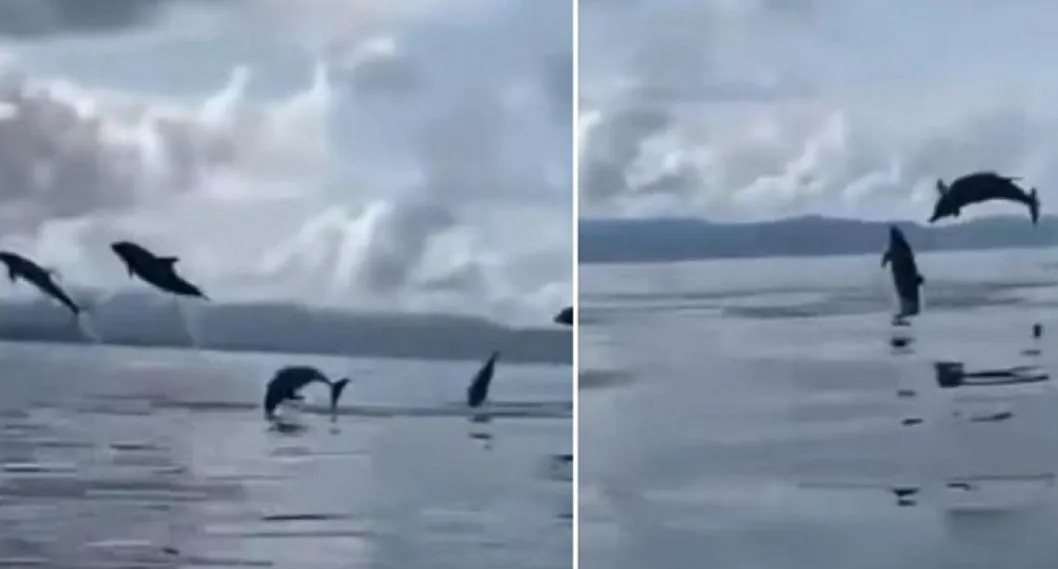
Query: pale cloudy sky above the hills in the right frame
x=739 y=111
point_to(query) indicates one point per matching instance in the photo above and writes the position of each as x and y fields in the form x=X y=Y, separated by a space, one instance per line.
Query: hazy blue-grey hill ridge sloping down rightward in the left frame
x=154 y=321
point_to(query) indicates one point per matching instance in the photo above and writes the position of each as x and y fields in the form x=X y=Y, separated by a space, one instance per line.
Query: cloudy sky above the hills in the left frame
x=409 y=156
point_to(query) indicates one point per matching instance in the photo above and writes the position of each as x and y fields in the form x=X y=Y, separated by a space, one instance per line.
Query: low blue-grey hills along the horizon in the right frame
x=661 y=241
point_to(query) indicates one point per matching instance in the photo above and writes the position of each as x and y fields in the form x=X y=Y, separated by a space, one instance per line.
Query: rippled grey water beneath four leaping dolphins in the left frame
x=150 y=458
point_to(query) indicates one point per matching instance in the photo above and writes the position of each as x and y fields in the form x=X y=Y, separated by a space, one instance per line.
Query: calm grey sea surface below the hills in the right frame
x=746 y=414
